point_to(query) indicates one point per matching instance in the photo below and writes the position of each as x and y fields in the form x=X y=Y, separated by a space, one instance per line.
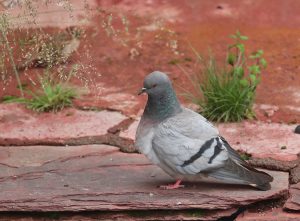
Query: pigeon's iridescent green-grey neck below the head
x=160 y=107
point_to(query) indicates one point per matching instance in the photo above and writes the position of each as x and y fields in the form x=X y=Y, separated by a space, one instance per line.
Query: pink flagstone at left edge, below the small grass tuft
x=19 y=126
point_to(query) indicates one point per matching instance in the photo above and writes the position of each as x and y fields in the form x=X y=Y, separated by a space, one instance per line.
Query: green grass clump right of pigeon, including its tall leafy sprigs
x=228 y=91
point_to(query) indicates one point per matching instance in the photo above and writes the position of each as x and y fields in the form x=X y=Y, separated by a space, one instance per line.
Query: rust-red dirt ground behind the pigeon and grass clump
x=271 y=25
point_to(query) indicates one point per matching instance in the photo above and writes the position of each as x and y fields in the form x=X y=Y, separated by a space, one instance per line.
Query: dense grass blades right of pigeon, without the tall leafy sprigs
x=224 y=98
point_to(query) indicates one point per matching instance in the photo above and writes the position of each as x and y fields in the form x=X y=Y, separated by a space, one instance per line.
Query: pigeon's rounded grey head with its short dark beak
x=156 y=83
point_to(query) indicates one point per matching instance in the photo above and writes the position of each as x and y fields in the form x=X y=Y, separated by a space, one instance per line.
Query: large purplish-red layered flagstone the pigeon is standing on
x=99 y=177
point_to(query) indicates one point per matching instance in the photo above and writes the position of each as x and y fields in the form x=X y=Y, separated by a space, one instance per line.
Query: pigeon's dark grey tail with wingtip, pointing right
x=236 y=173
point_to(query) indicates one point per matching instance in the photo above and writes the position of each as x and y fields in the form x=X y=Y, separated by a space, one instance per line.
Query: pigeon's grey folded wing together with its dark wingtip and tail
x=208 y=154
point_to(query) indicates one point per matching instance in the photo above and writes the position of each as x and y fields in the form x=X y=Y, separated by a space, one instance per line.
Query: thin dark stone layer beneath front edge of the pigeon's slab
x=163 y=215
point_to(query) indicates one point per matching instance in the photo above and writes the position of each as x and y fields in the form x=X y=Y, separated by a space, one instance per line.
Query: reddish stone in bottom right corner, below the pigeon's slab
x=275 y=214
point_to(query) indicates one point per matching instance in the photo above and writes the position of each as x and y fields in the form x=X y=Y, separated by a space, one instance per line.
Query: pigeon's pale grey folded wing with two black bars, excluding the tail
x=188 y=144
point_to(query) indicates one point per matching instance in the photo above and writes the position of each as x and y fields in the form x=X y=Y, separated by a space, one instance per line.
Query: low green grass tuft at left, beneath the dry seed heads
x=53 y=96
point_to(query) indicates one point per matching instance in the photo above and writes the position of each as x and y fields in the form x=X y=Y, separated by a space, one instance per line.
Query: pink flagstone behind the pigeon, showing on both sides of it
x=261 y=140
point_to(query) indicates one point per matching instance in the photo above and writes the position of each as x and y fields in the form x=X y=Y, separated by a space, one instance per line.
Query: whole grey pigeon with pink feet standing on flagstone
x=186 y=145
